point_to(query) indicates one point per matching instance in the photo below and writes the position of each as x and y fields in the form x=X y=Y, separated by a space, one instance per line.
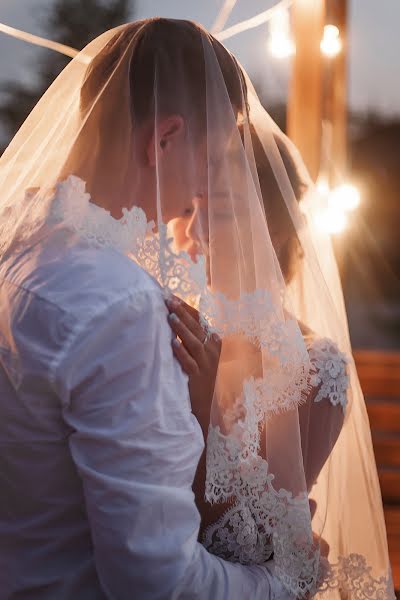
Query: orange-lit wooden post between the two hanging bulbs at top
x=305 y=95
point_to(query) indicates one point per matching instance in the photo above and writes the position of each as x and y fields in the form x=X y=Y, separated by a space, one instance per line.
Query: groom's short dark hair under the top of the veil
x=165 y=50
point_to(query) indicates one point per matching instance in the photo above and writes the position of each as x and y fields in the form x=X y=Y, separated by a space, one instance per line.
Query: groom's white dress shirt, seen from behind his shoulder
x=98 y=444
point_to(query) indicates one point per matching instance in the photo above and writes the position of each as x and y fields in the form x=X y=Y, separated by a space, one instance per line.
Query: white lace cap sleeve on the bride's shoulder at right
x=328 y=372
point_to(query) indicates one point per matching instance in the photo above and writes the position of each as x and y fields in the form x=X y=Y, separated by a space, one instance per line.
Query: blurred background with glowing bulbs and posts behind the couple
x=327 y=72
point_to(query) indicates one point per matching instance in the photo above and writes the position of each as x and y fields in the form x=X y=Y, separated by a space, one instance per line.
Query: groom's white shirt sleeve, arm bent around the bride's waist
x=136 y=445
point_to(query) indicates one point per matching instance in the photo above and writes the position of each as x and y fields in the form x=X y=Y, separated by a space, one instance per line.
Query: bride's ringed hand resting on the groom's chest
x=198 y=355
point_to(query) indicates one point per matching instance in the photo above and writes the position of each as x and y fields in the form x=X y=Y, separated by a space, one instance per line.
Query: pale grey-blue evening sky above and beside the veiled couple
x=374 y=49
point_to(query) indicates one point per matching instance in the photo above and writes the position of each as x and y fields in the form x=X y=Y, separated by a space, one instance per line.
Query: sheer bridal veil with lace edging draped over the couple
x=156 y=121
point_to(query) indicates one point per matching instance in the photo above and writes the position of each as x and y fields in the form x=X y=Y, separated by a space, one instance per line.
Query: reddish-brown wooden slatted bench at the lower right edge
x=379 y=374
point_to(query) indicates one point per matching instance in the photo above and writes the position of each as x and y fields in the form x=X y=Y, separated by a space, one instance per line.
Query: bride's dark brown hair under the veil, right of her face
x=276 y=211
